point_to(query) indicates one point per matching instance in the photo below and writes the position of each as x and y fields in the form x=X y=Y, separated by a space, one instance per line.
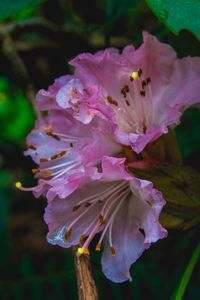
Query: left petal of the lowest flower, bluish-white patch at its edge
x=60 y=213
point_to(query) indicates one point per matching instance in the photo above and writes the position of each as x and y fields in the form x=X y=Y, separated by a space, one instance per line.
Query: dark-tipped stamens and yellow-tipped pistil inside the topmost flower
x=133 y=98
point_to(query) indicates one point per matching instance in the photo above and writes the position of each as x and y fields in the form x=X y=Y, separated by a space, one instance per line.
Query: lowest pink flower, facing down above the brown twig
x=123 y=209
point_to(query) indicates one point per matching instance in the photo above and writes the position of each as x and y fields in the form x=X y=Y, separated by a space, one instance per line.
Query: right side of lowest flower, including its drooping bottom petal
x=135 y=227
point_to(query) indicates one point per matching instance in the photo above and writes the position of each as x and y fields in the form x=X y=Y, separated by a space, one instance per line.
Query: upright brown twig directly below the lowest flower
x=86 y=285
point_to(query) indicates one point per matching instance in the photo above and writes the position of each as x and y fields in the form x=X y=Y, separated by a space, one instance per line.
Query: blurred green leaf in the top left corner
x=10 y=7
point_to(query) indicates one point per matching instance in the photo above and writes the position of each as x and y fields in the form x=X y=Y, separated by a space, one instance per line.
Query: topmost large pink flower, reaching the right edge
x=144 y=90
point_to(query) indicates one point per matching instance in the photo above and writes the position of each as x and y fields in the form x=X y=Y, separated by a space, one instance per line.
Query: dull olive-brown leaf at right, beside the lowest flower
x=181 y=190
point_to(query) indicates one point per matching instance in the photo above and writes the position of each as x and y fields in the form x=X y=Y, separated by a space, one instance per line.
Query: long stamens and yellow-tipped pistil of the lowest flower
x=110 y=201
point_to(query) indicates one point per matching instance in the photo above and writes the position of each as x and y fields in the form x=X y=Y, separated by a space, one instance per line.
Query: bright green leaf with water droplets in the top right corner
x=178 y=14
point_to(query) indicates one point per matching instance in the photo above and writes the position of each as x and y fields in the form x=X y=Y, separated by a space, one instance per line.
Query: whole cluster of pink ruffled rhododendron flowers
x=114 y=104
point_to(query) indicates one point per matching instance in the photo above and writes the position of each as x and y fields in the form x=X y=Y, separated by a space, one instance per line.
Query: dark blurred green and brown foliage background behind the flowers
x=36 y=42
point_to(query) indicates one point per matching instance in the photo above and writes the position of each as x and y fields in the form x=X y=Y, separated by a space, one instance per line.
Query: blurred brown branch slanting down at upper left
x=19 y=68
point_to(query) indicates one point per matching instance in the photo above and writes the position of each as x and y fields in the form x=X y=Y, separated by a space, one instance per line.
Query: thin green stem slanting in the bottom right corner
x=187 y=274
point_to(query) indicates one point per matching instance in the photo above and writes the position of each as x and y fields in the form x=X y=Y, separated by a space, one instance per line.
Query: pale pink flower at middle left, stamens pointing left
x=67 y=151
